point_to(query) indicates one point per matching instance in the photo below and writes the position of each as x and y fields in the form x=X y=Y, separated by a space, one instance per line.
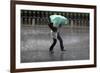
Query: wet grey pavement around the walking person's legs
x=36 y=40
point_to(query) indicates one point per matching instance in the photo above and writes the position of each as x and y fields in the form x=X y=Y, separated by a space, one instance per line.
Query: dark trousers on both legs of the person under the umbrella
x=55 y=41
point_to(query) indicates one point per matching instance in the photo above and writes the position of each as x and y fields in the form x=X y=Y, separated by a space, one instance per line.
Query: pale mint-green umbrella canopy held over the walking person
x=58 y=20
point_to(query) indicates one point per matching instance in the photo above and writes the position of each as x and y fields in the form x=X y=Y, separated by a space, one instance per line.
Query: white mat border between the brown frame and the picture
x=57 y=63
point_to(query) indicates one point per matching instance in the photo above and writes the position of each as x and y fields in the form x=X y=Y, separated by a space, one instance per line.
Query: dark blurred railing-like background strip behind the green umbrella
x=31 y=18
